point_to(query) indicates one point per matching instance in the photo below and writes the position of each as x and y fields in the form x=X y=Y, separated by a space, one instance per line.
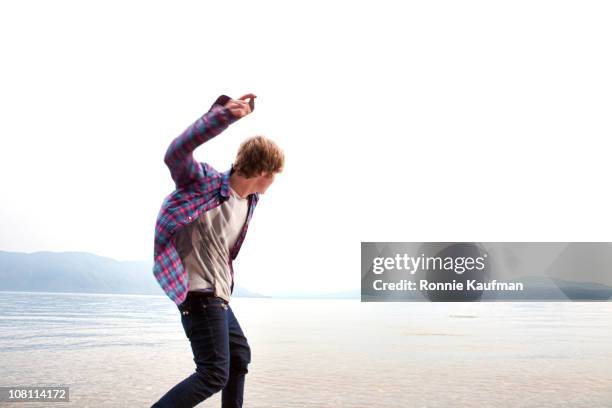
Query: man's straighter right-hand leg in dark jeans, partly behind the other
x=240 y=357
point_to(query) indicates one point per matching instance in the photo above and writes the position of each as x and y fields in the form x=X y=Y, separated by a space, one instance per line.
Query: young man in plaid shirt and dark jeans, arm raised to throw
x=199 y=230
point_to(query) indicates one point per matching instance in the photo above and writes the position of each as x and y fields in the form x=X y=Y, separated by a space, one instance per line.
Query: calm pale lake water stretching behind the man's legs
x=127 y=351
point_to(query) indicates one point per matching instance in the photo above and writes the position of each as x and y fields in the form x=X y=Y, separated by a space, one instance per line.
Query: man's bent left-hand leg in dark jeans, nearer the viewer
x=206 y=326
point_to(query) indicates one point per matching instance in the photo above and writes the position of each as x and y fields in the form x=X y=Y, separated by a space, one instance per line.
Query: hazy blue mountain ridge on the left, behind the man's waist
x=46 y=271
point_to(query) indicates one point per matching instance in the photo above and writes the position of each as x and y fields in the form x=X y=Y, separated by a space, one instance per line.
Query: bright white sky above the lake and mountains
x=401 y=121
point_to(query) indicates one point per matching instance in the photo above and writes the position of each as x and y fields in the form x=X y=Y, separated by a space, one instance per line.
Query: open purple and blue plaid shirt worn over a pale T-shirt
x=199 y=188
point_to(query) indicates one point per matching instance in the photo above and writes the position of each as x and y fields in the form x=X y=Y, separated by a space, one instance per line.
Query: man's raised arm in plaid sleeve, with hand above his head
x=179 y=156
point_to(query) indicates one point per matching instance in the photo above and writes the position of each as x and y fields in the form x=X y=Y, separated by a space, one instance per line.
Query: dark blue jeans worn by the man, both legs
x=220 y=351
